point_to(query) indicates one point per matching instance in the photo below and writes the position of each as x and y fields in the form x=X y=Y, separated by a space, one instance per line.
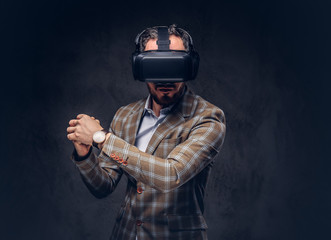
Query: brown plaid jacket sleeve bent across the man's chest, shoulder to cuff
x=184 y=162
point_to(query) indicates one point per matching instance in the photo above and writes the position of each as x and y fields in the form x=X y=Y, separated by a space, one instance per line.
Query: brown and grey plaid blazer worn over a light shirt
x=164 y=197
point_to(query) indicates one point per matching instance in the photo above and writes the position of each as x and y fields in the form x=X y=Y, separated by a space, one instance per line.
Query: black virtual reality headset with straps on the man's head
x=164 y=65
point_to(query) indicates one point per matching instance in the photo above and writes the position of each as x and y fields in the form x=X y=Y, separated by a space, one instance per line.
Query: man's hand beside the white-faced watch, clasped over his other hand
x=82 y=129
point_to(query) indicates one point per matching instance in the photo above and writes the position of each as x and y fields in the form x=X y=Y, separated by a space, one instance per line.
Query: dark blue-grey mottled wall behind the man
x=265 y=63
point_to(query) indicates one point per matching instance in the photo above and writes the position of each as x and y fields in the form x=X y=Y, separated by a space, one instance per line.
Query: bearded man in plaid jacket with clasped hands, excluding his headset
x=165 y=145
